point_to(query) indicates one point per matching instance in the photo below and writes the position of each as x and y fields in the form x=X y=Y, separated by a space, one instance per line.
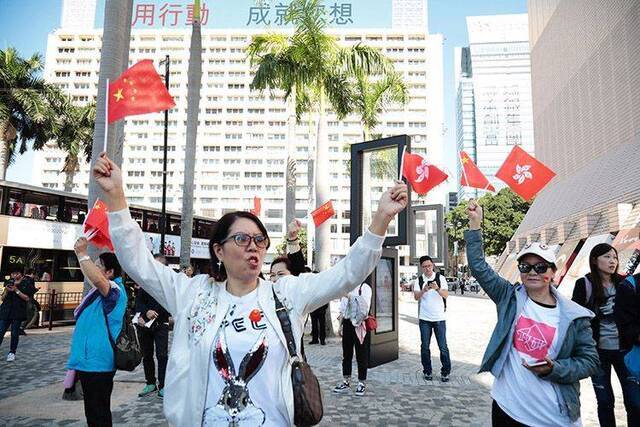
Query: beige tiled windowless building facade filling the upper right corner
x=584 y=58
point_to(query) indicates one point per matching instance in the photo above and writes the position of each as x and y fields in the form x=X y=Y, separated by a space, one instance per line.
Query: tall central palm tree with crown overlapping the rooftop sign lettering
x=319 y=73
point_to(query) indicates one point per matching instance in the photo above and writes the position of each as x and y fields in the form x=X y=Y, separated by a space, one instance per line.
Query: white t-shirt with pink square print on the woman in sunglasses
x=520 y=393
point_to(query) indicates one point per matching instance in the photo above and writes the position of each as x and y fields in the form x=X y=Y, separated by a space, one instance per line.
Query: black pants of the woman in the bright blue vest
x=97 y=388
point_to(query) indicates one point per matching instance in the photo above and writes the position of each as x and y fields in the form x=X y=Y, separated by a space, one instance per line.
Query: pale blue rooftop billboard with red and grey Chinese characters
x=258 y=14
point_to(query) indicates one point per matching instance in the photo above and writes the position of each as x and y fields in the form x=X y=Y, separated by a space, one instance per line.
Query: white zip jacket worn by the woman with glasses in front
x=193 y=303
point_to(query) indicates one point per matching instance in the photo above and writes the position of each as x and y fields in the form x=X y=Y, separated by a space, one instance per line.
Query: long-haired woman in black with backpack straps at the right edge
x=599 y=292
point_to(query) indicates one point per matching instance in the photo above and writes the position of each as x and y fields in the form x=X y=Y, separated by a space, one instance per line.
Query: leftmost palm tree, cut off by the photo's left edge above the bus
x=25 y=110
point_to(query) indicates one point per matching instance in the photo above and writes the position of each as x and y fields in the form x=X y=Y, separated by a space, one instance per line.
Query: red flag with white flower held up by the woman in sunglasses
x=524 y=174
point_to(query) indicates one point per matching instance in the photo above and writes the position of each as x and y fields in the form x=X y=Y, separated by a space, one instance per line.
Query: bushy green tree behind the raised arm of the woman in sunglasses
x=503 y=213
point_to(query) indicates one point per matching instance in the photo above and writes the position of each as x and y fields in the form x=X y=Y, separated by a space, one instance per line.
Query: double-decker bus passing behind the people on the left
x=39 y=226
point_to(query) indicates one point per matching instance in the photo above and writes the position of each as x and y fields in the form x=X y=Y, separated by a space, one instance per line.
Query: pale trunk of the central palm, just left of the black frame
x=323 y=233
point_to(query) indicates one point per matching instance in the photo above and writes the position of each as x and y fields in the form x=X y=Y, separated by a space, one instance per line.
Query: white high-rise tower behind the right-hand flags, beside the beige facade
x=500 y=72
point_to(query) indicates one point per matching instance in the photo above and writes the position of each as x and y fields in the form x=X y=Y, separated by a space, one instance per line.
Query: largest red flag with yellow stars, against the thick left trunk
x=139 y=90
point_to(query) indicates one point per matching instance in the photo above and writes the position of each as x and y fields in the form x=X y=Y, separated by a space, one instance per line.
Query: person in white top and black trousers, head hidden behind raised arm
x=354 y=309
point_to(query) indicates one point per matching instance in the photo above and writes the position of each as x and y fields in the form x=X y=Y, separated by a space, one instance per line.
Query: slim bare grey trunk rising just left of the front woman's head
x=193 y=104
